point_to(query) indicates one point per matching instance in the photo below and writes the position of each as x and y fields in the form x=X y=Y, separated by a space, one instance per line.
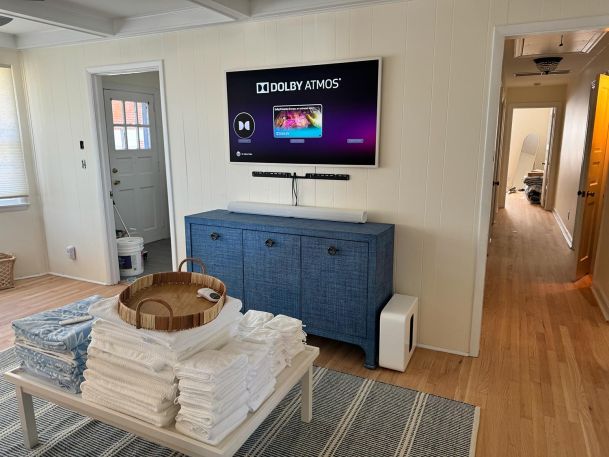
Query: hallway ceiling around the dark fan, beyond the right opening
x=547 y=45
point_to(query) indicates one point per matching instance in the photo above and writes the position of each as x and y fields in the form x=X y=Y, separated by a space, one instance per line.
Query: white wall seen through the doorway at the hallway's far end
x=526 y=121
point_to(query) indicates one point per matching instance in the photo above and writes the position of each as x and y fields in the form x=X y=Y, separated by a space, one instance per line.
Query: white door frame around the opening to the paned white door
x=95 y=89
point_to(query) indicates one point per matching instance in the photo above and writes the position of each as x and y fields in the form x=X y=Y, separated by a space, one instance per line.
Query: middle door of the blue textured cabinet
x=271 y=270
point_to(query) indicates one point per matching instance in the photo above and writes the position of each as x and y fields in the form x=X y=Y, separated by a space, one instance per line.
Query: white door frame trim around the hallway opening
x=490 y=113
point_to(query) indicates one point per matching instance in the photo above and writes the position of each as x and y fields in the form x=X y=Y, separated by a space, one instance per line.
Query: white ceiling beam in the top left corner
x=59 y=14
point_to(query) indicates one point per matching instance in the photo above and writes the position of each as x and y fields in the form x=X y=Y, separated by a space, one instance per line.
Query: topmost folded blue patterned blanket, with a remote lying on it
x=44 y=331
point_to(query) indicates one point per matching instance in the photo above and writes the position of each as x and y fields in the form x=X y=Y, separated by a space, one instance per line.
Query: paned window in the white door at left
x=131 y=124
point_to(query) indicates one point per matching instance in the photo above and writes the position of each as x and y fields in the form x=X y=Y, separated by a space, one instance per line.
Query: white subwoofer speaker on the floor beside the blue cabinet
x=398 y=332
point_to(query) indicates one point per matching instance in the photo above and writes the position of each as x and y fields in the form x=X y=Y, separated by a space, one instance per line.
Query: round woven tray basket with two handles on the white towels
x=169 y=301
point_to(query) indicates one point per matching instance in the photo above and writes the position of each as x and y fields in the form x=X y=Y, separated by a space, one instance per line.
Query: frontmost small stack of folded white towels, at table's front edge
x=213 y=394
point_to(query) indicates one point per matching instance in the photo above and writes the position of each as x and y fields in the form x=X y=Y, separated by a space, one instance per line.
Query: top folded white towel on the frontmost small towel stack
x=210 y=365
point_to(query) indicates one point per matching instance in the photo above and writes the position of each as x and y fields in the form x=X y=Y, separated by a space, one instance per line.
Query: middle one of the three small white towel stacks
x=260 y=379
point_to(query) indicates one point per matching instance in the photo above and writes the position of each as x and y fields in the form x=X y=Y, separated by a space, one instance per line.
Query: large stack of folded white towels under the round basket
x=132 y=370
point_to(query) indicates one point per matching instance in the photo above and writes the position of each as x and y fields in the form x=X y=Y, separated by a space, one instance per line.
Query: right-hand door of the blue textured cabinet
x=335 y=285
